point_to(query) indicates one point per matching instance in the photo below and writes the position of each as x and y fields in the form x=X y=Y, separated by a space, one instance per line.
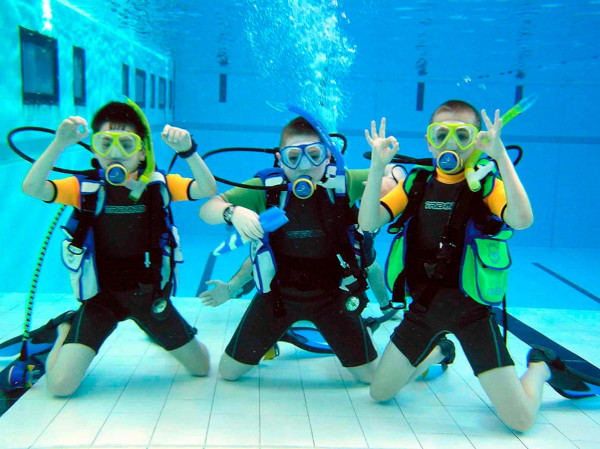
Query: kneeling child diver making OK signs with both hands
x=438 y=234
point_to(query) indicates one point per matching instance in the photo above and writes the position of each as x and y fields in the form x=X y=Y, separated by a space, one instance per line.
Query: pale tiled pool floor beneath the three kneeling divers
x=136 y=396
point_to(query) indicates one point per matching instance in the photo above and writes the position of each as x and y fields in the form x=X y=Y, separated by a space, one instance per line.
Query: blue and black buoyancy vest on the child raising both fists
x=161 y=252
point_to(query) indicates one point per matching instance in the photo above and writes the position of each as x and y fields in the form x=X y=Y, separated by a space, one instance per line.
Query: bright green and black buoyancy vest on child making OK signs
x=473 y=250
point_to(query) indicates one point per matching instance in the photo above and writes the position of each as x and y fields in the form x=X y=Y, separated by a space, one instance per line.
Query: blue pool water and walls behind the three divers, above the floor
x=348 y=63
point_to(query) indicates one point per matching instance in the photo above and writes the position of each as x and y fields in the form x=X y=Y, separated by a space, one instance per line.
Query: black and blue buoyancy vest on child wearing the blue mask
x=341 y=237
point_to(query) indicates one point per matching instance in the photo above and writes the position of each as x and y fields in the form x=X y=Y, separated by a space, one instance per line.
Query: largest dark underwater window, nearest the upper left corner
x=39 y=68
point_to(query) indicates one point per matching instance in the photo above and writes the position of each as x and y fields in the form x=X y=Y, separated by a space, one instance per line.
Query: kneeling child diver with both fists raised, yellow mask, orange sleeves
x=123 y=248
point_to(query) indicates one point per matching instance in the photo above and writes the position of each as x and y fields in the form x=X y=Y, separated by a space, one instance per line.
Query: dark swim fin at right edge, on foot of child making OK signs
x=565 y=382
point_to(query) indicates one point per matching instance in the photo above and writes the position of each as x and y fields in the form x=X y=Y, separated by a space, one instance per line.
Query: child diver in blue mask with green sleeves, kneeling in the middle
x=300 y=268
